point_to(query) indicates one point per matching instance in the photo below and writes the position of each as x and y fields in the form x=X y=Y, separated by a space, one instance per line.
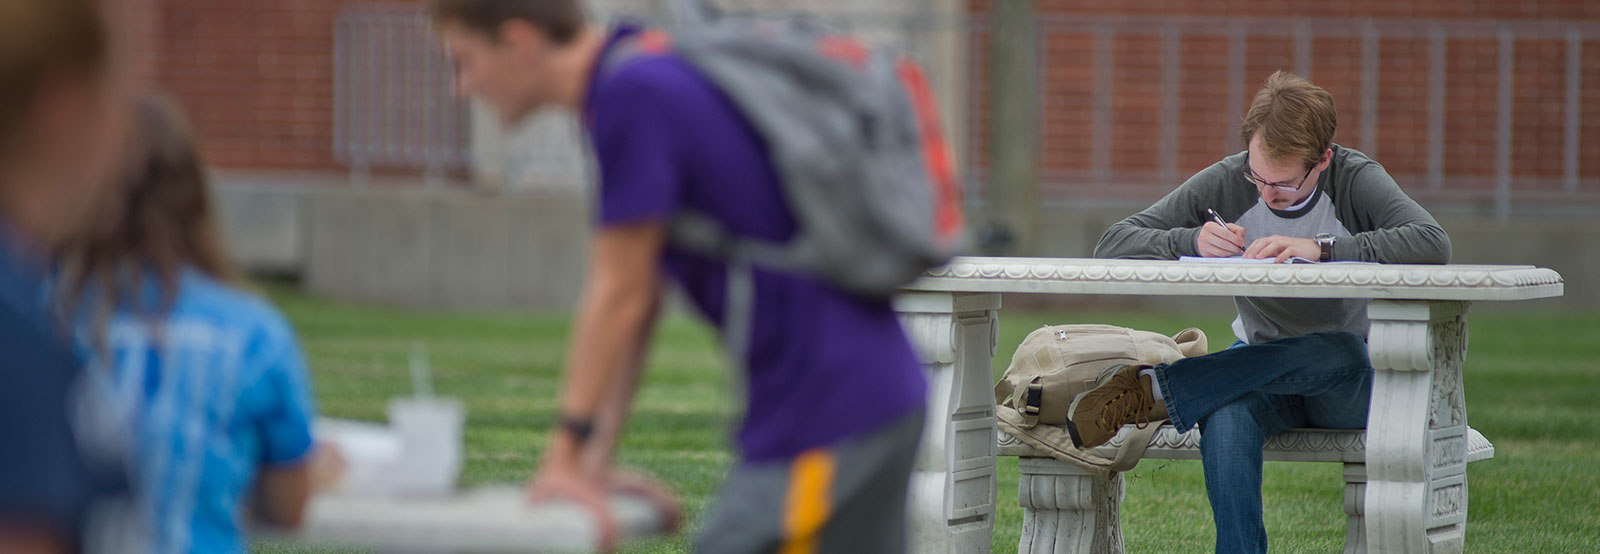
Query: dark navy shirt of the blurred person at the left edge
x=52 y=475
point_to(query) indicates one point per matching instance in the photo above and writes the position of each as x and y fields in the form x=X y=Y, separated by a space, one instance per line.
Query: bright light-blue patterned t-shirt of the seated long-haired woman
x=214 y=391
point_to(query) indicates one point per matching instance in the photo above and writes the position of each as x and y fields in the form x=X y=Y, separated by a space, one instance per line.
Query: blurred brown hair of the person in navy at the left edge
x=41 y=41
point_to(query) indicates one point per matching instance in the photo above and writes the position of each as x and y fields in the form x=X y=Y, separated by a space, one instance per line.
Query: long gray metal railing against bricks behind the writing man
x=1506 y=185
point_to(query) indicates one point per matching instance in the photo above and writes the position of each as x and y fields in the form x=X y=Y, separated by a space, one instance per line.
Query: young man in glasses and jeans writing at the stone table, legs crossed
x=1297 y=363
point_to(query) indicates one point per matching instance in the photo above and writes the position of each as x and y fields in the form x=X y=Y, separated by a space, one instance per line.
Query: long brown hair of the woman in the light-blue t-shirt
x=158 y=223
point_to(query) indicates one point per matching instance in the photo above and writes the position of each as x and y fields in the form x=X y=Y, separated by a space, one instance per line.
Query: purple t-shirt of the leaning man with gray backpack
x=823 y=366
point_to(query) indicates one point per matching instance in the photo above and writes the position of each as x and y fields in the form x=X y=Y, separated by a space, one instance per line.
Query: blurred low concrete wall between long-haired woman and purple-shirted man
x=442 y=249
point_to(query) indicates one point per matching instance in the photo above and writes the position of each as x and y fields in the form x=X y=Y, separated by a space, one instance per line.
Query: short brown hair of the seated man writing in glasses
x=1295 y=119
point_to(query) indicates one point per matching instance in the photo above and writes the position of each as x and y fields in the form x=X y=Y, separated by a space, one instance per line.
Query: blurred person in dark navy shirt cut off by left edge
x=63 y=122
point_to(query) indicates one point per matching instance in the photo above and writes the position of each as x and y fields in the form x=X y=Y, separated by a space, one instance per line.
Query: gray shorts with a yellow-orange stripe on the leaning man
x=842 y=499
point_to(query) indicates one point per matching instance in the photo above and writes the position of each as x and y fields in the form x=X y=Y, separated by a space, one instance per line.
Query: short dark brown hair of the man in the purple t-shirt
x=559 y=20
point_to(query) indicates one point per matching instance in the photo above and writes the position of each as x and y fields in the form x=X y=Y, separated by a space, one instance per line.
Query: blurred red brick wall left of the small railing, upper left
x=257 y=78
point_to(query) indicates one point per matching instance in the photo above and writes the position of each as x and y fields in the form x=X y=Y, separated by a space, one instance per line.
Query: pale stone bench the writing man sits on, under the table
x=1073 y=512
